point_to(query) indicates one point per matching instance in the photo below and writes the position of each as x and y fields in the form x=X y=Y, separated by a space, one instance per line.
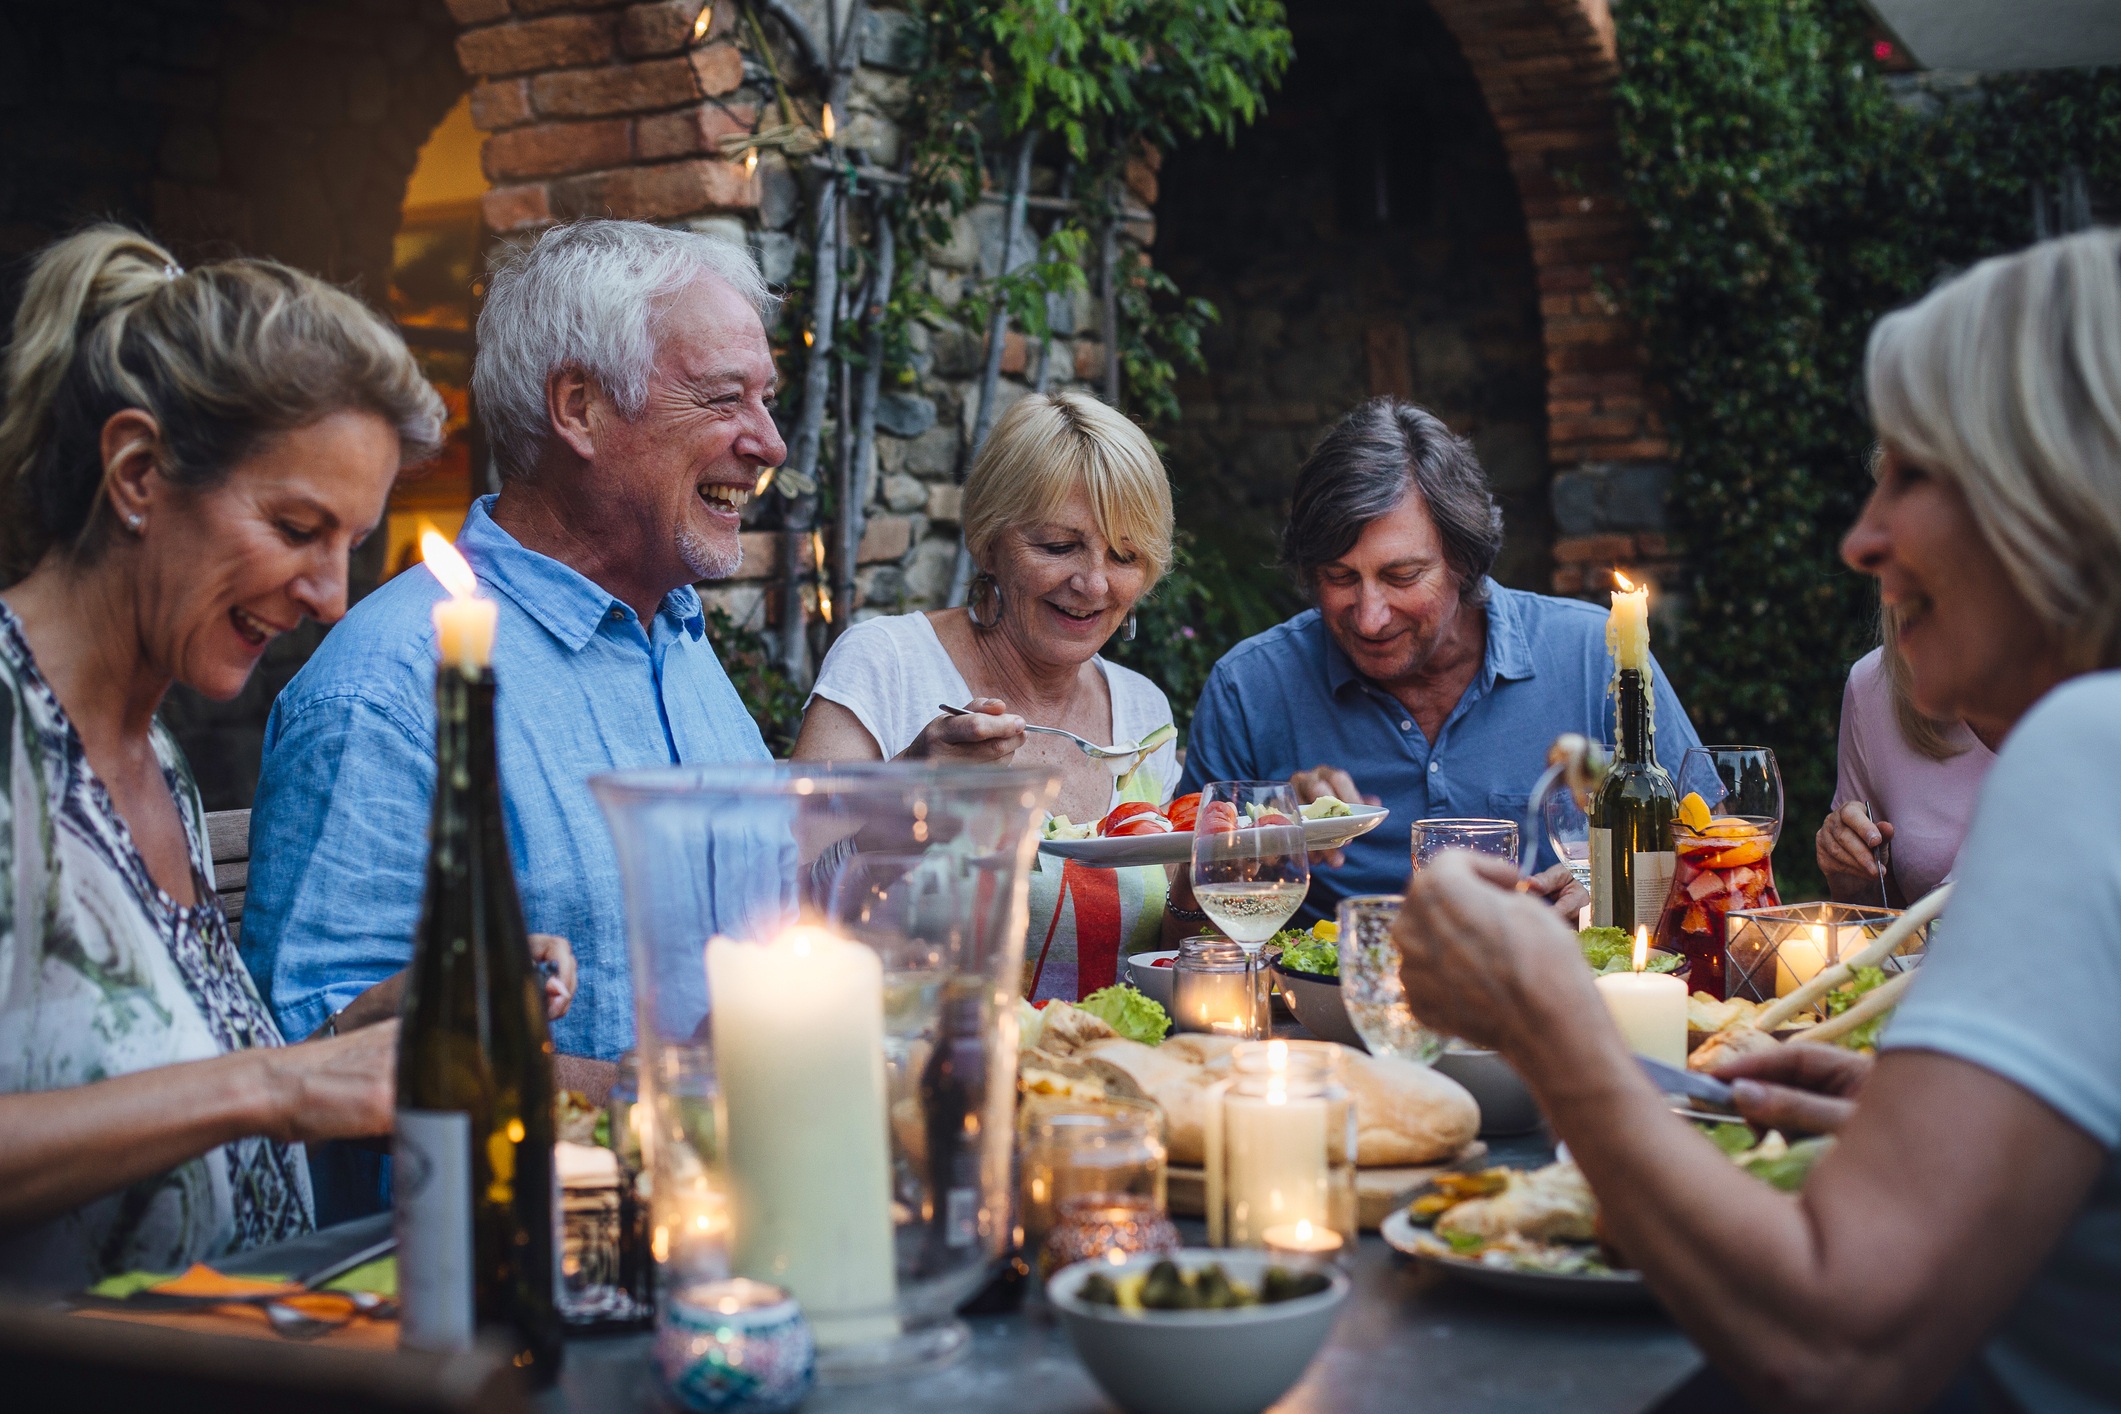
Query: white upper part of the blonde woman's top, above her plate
x=894 y=675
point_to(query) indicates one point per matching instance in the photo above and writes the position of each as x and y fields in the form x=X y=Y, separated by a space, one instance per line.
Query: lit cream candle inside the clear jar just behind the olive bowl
x=1274 y=1150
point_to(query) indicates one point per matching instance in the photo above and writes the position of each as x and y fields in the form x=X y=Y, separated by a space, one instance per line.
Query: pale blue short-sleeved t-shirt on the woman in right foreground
x=2024 y=980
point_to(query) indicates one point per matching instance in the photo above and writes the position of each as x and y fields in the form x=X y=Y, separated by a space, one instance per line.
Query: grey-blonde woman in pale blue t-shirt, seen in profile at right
x=1974 y=1195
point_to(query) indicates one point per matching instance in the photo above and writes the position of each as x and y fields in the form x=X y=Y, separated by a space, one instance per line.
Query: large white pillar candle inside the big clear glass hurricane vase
x=801 y=1059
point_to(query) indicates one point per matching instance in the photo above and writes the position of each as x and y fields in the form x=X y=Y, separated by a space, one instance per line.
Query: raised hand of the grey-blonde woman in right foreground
x=1479 y=959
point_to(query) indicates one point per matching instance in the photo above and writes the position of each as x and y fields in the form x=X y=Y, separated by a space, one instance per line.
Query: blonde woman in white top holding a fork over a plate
x=1068 y=518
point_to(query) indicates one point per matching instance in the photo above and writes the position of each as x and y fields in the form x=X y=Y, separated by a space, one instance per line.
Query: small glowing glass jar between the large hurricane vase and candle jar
x=1072 y=1148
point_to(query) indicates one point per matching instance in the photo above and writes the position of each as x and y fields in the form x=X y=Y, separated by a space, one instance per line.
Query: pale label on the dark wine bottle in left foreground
x=432 y=1195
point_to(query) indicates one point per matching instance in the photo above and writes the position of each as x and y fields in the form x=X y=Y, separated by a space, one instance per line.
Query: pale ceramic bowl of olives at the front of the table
x=1197 y=1362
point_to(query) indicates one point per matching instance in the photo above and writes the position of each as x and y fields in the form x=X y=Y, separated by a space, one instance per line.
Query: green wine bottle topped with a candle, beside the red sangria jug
x=1632 y=855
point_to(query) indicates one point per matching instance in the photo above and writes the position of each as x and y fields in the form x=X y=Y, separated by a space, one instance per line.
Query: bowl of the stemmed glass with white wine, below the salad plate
x=1250 y=866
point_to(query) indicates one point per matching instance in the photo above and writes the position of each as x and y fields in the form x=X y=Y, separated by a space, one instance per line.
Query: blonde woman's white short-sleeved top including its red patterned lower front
x=894 y=673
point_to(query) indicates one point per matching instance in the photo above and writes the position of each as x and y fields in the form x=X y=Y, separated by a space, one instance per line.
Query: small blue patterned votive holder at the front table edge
x=733 y=1347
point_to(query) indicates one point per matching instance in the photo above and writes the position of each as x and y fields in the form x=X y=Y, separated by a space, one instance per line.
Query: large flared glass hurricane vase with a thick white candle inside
x=826 y=968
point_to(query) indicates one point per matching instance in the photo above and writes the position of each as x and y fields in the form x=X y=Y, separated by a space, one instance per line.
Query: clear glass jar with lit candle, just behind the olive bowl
x=1280 y=1142
